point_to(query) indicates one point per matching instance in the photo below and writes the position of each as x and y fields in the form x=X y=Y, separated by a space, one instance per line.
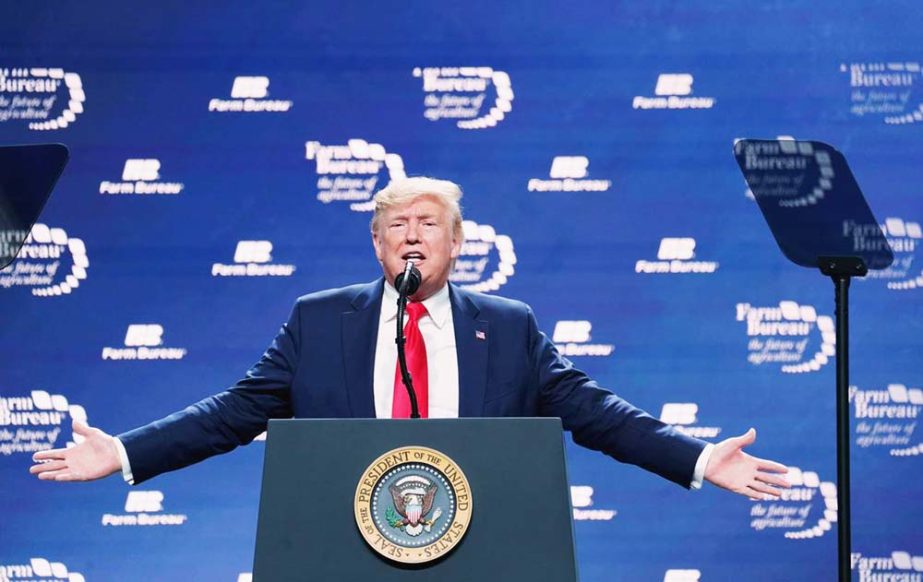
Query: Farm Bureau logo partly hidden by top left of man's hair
x=351 y=172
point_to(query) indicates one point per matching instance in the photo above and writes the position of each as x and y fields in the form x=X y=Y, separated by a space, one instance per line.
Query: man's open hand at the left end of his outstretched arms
x=94 y=458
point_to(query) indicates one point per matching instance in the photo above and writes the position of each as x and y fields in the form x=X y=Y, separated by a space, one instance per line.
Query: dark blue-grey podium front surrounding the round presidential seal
x=520 y=526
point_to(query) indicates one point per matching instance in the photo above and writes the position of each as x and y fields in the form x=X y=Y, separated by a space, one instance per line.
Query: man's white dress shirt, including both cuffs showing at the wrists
x=438 y=331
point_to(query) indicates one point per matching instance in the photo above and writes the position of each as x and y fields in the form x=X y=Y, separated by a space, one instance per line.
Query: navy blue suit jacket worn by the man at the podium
x=321 y=363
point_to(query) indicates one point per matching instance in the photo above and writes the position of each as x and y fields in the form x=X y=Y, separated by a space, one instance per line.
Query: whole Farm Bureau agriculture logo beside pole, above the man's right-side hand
x=781 y=335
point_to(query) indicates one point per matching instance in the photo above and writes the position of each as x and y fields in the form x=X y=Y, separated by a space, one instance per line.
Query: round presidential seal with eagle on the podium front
x=413 y=505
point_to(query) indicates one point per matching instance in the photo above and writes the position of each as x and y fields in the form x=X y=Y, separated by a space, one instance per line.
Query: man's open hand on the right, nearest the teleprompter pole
x=731 y=468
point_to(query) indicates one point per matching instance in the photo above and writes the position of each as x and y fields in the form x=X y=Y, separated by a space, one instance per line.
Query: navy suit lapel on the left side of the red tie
x=359 y=336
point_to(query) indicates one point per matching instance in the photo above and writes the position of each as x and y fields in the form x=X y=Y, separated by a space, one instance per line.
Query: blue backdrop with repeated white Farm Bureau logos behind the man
x=221 y=156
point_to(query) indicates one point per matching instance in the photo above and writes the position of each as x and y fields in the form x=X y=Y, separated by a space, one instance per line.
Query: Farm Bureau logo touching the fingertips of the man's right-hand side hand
x=807 y=510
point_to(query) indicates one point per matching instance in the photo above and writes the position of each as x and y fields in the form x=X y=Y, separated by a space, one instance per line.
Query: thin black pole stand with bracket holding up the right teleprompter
x=841 y=270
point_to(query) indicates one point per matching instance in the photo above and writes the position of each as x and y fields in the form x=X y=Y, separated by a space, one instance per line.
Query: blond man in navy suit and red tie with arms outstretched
x=473 y=355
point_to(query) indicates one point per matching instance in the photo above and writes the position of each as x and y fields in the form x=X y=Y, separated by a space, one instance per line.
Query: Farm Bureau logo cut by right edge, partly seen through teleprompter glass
x=905 y=239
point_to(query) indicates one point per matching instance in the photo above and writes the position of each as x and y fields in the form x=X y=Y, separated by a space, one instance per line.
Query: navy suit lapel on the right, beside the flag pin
x=471 y=337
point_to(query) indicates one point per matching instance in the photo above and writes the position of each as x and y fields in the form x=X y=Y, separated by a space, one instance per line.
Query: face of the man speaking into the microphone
x=420 y=230
